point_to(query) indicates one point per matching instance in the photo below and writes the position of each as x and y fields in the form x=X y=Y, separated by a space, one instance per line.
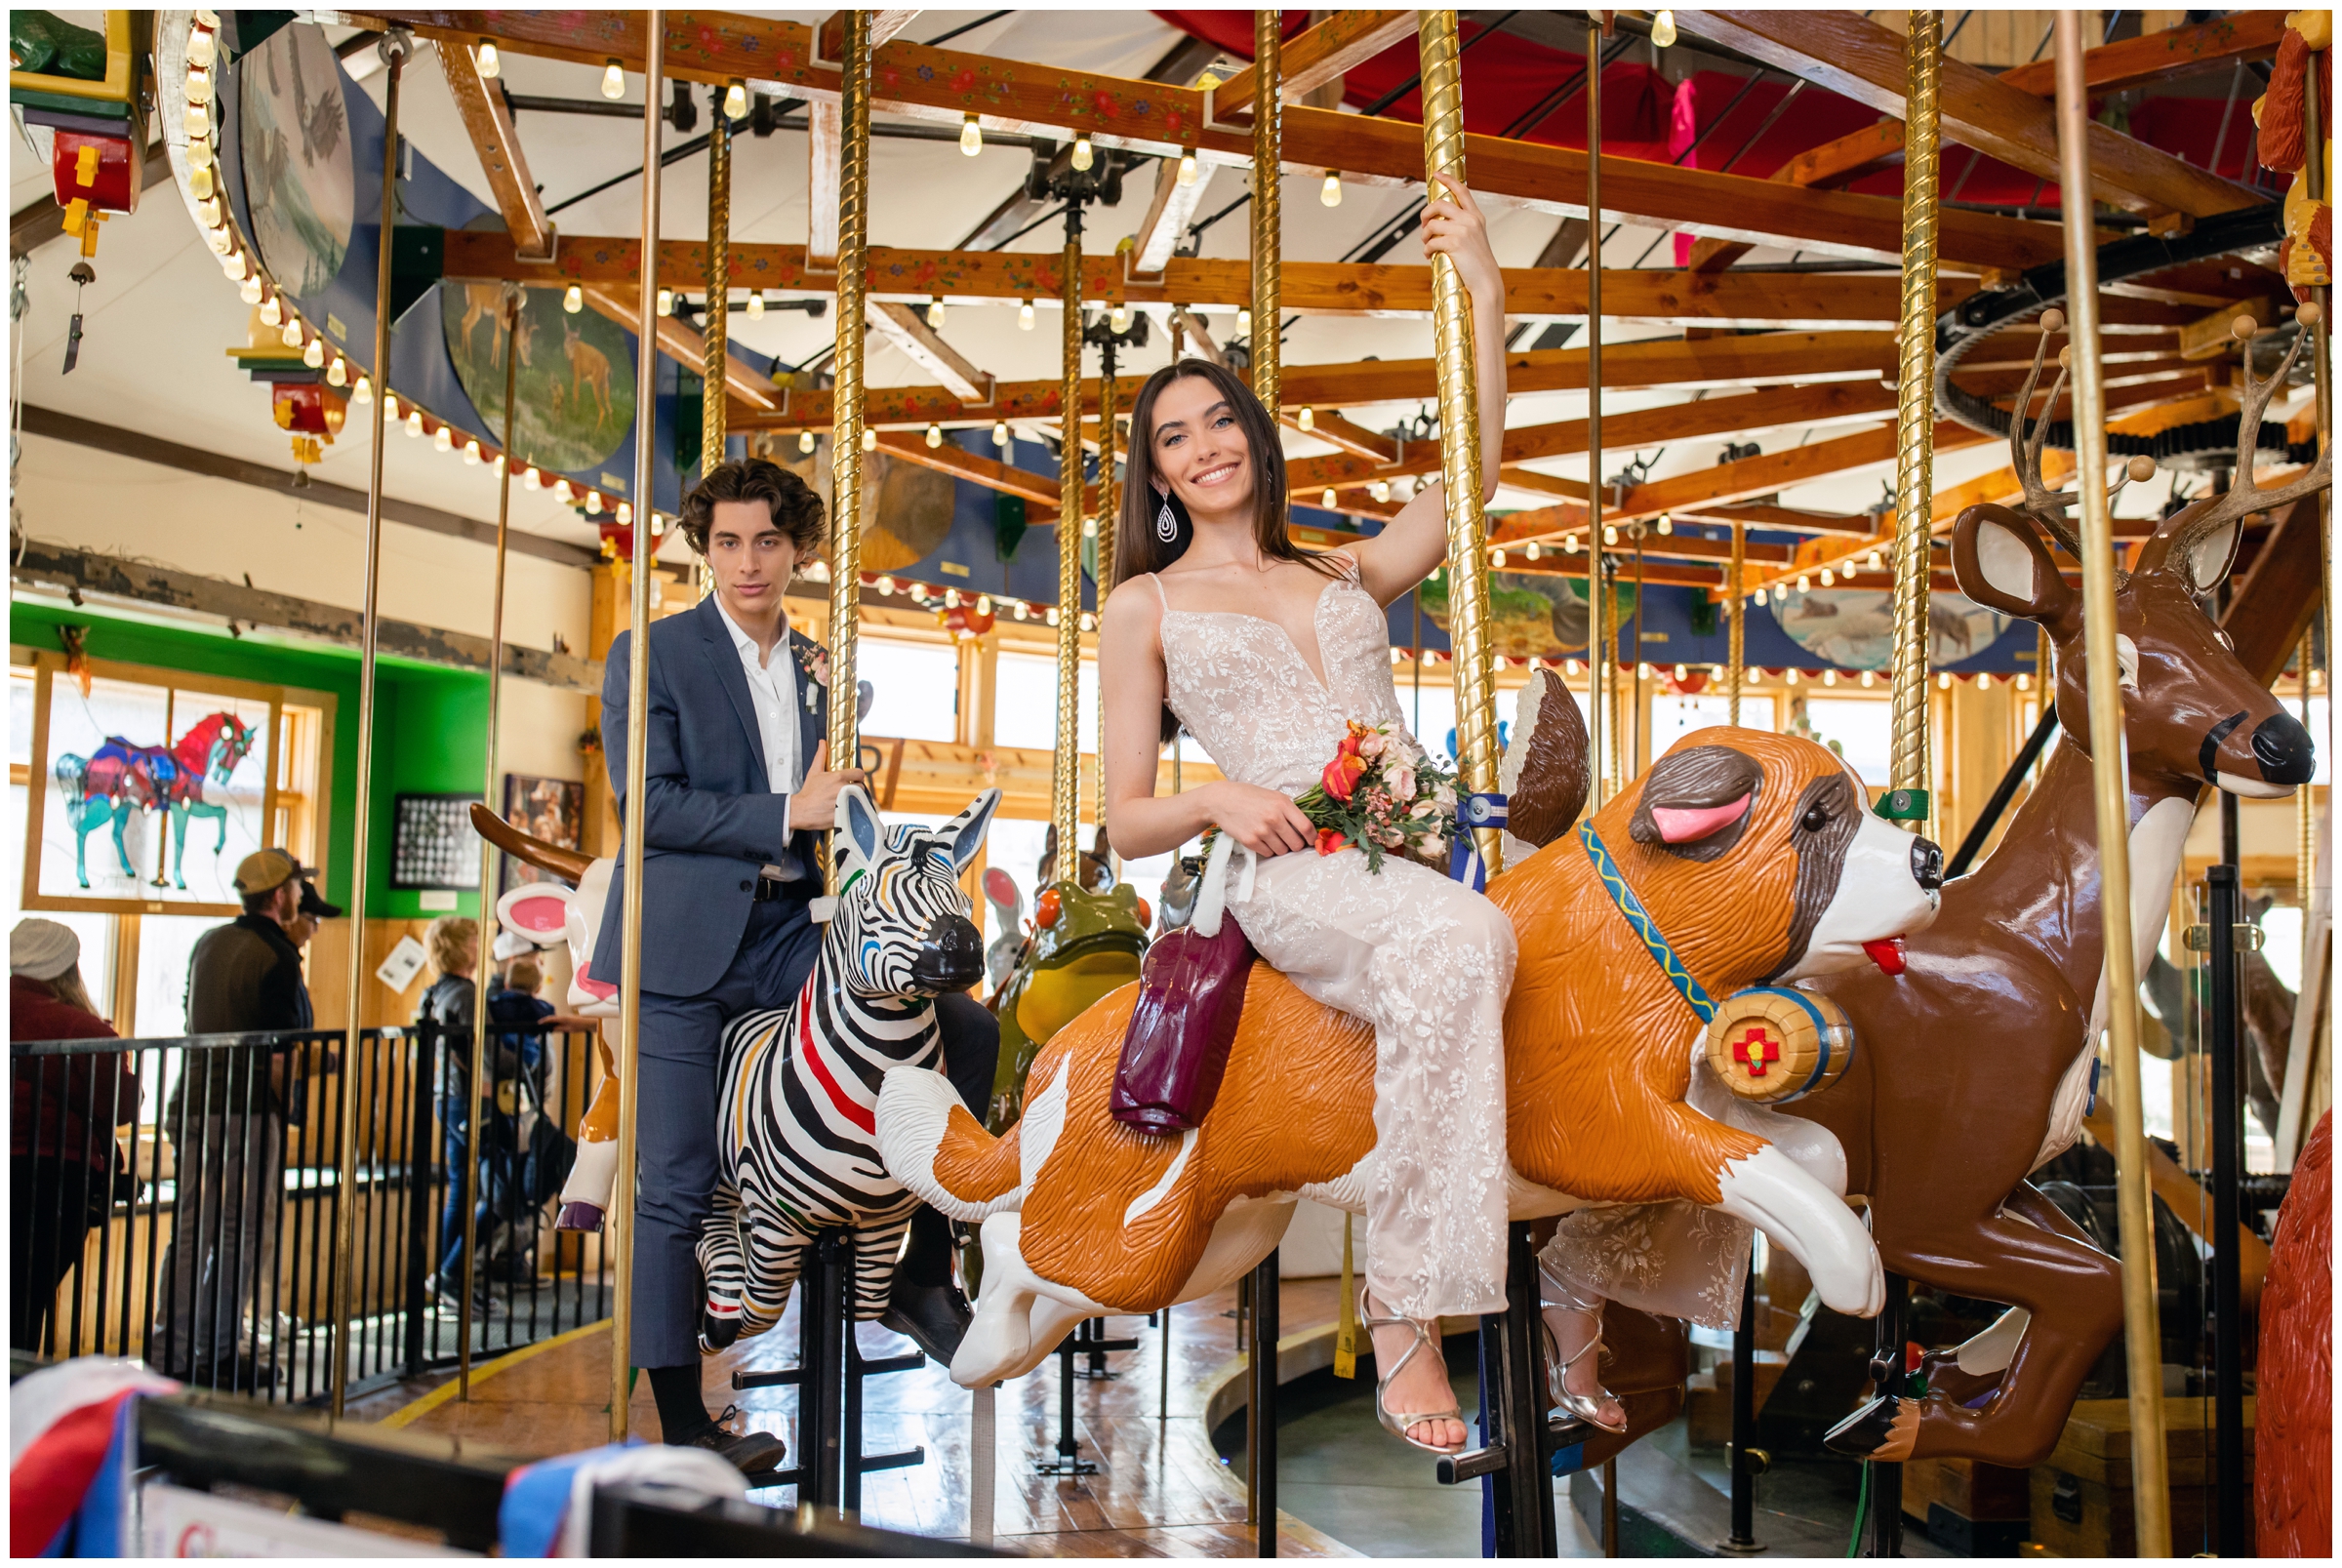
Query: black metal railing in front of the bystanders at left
x=177 y=1202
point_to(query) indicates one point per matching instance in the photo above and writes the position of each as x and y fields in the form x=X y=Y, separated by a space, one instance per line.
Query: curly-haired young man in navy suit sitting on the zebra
x=737 y=797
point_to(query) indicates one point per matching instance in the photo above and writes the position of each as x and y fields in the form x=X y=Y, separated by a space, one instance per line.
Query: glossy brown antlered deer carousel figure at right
x=1940 y=1134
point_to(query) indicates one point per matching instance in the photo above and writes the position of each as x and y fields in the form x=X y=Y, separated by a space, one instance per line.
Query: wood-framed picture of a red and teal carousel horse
x=146 y=788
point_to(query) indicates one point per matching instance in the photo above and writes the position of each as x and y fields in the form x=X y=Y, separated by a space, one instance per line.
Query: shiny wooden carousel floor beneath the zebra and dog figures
x=1160 y=1487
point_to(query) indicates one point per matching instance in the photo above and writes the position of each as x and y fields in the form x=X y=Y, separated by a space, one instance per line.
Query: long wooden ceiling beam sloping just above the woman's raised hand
x=1158 y=118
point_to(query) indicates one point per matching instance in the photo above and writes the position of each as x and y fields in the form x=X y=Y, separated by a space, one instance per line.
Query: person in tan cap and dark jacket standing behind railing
x=245 y=977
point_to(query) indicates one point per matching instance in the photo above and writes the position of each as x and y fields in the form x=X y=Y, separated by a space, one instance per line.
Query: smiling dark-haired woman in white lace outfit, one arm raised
x=1264 y=652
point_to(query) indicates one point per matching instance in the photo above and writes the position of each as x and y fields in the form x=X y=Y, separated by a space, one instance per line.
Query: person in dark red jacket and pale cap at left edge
x=62 y=1132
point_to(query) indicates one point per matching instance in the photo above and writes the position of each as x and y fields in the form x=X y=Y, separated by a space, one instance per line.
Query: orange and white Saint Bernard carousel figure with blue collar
x=1753 y=855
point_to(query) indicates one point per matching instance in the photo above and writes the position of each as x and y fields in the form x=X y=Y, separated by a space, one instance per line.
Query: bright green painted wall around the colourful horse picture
x=430 y=724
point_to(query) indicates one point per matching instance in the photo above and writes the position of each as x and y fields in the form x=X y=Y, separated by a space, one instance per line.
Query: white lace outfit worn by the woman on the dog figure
x=1409 y=951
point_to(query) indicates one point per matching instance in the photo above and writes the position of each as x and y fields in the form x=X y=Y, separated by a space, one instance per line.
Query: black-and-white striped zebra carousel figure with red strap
x=800 y=1085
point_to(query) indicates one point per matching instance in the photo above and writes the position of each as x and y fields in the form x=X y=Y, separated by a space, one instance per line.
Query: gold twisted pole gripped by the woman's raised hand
x=1460 y=436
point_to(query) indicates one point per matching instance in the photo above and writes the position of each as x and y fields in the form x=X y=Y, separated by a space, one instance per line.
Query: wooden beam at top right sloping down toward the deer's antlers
x=1868 y=64
